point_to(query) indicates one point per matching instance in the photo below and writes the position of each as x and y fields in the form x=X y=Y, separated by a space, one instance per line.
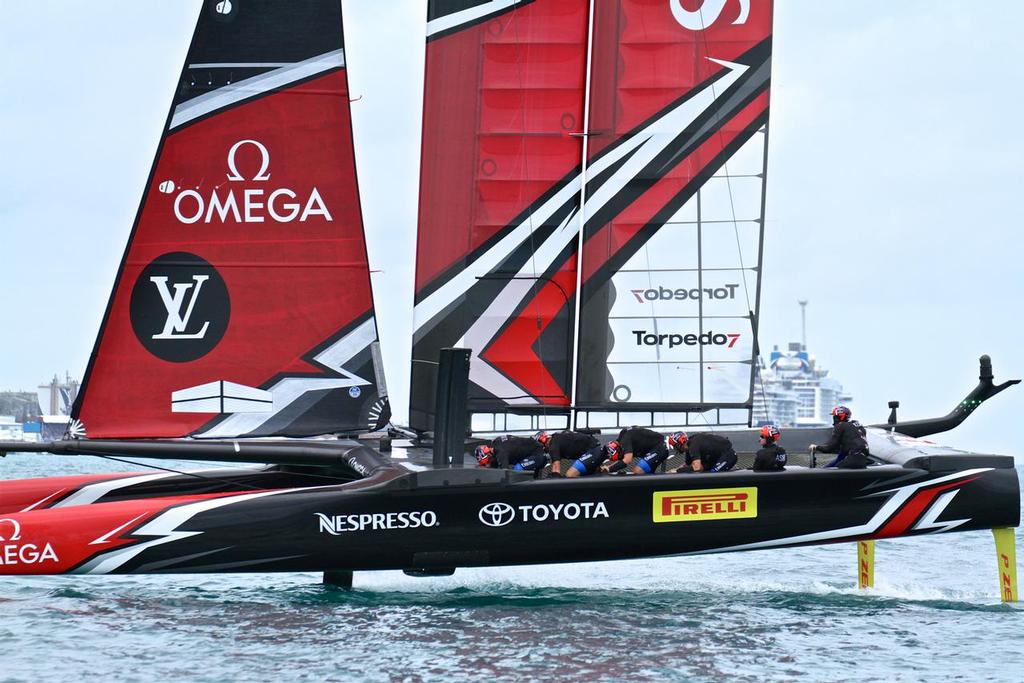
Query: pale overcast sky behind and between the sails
x=894 y=184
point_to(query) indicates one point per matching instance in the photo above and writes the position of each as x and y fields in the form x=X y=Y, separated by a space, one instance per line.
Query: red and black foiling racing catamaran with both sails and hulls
x=591 y=230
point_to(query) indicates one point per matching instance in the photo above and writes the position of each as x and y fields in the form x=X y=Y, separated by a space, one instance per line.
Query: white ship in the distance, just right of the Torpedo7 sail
x=795 y=392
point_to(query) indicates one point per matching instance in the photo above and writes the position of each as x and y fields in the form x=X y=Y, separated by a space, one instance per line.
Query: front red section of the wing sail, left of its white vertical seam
x=500 y=200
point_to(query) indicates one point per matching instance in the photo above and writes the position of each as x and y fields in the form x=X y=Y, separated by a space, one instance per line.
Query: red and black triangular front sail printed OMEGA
x=243 y=304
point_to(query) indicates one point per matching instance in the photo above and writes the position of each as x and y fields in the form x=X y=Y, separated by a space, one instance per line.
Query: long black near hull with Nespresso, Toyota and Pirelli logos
x=448 y=519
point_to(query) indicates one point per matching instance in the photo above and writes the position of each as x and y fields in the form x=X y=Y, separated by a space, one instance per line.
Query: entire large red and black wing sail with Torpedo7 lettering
x=676 y=104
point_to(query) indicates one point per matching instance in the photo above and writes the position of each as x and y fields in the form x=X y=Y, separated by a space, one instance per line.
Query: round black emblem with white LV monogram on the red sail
x=180 y=308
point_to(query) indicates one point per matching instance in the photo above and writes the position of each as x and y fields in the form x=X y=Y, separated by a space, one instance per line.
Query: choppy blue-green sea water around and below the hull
x=788 y=615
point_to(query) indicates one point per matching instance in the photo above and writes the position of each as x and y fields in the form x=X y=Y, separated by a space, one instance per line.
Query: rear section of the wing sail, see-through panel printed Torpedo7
x=672 y=255
